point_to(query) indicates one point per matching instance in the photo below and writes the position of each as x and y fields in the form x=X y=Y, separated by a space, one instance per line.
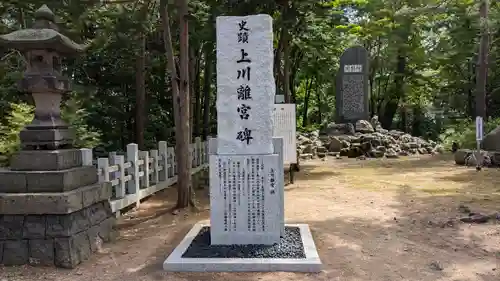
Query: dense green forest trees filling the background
x=423 y=64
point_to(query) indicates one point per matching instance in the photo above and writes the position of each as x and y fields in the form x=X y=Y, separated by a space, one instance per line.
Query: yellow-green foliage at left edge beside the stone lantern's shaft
x=20 y=115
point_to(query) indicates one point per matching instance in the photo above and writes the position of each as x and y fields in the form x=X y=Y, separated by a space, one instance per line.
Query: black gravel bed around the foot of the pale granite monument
x=289 y=247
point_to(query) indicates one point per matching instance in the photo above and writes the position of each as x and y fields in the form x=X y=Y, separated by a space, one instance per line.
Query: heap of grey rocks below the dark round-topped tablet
x=364 y=139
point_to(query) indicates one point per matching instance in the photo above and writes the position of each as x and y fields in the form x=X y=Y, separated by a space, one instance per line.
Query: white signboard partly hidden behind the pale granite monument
x=284 y=119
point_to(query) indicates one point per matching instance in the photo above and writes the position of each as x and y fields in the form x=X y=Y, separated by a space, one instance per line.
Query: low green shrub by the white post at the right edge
x=464 y=133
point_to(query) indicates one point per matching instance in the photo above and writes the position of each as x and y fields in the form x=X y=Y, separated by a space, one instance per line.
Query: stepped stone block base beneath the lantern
x=53 y=211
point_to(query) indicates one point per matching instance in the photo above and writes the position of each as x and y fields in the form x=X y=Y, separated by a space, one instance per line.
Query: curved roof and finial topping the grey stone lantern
x=43 y=35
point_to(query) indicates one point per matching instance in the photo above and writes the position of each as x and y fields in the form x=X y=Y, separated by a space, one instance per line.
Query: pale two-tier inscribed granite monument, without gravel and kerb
x=244 y=171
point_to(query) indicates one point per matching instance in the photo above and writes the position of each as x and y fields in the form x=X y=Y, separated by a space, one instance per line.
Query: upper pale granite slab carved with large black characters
x=245 y=85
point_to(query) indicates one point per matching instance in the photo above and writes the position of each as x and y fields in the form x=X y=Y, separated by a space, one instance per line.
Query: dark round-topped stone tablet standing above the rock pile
x=352 y=102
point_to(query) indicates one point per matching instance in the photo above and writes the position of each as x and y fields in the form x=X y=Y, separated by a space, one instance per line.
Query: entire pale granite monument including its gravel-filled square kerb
x=247 y=231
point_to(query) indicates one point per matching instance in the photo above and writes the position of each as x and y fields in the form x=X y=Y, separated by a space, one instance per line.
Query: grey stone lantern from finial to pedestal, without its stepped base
x=43 y=47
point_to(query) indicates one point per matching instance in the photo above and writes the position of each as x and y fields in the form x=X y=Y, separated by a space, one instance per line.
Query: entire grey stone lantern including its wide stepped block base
x=53 y=211
